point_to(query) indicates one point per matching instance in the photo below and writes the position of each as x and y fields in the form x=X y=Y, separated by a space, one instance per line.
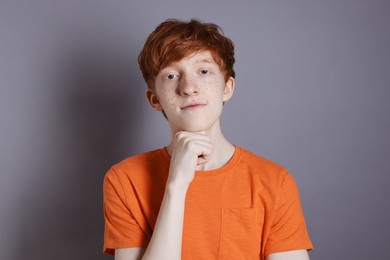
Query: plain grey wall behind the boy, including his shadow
x=312 y=93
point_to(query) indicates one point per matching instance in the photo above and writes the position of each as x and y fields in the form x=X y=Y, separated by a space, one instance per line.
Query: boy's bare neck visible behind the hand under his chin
x=222 y=152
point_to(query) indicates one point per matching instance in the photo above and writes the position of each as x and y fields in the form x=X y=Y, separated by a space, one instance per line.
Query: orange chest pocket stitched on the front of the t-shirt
x=241 y=230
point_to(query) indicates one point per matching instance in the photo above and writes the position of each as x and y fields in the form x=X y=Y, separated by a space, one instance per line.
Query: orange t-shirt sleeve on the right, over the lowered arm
x=288 y=230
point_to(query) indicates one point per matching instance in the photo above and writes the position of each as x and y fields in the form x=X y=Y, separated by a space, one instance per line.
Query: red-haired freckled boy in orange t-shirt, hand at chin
x=200 y=197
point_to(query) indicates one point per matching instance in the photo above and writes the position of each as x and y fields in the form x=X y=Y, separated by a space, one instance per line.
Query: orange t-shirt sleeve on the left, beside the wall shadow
x=121 y=229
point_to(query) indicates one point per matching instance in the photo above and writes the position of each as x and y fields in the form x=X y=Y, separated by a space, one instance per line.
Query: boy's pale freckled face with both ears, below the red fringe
x=191 y=92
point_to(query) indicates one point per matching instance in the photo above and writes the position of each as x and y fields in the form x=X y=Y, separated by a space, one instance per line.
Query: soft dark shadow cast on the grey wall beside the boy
x=91 y=128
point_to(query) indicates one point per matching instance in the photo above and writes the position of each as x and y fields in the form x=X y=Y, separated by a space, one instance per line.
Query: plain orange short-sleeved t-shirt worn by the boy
x=244 y=210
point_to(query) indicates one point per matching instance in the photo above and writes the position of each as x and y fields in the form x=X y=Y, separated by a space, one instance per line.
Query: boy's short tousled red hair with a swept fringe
x=173 y=40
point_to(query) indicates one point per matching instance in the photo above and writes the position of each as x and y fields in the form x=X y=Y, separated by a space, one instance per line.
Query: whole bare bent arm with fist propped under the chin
x=189 y=150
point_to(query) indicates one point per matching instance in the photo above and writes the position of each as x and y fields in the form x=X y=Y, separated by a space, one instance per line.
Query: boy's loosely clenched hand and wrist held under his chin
x=189 y=150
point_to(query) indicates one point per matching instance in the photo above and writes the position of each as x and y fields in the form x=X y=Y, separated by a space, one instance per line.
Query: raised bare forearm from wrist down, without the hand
x=167 y=234
